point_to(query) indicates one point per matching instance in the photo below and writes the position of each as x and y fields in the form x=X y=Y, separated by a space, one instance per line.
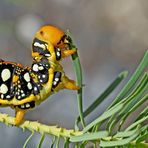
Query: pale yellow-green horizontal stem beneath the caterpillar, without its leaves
x=41 y=128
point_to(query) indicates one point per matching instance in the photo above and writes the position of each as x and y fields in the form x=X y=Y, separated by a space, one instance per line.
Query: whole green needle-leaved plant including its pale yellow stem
x=115 y=134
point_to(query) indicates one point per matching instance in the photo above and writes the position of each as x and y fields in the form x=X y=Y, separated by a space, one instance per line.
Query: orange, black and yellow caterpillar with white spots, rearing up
x=23 y=88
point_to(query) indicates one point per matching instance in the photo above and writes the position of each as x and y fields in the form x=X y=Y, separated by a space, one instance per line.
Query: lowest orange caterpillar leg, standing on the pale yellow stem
x=19 y=116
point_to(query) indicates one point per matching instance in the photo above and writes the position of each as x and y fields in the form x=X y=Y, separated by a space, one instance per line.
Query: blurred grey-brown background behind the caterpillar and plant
x=111 y=36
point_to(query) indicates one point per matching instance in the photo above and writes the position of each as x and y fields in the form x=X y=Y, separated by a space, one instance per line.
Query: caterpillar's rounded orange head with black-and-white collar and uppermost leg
x=51 y=42
